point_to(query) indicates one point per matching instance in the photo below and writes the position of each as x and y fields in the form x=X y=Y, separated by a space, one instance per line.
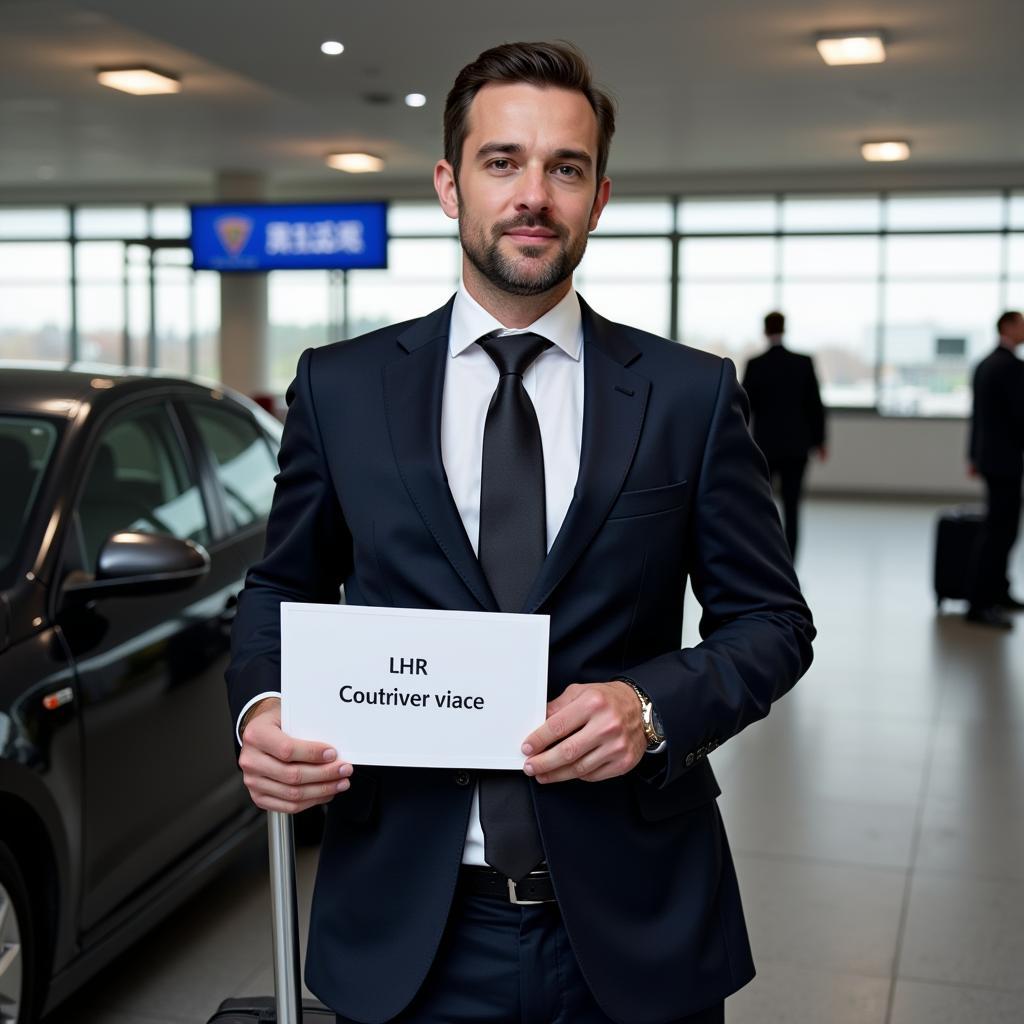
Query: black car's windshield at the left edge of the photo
x=26 y=447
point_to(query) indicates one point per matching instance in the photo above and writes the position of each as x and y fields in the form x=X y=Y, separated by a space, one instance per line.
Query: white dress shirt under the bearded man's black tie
x=556 y=386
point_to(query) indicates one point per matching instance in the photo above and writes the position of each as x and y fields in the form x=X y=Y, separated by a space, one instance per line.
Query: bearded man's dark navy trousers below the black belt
x=501 y=964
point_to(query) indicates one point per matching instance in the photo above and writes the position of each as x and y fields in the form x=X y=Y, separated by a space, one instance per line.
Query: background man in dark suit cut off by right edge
x=997 y=453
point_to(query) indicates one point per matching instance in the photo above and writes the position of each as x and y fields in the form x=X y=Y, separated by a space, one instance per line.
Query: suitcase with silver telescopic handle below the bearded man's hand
x=287 y=1006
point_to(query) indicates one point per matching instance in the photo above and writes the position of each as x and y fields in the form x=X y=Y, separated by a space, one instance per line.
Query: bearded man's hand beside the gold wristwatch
x=593 y=733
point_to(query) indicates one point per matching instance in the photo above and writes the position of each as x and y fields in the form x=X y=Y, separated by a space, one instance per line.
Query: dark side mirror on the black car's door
x=143 y=564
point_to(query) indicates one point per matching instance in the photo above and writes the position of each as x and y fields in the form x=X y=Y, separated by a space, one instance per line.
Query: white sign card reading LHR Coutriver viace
x=414 y=688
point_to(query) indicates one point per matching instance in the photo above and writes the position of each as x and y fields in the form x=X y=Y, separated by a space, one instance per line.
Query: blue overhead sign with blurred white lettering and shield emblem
x=292 y=237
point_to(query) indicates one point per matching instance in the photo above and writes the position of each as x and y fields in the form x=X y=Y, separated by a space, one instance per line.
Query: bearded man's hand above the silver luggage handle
x=287 y=775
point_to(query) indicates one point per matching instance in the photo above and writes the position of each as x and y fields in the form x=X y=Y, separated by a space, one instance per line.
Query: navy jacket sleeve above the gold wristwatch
x=756 y=628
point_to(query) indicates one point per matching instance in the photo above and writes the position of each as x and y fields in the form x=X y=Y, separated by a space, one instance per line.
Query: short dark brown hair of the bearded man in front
x=559 y=65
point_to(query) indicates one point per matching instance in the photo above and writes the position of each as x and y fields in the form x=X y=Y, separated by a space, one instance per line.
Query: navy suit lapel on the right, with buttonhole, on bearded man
x=615 y=404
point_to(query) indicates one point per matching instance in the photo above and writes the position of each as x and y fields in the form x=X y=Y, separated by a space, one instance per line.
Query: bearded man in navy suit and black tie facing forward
x=515 y=451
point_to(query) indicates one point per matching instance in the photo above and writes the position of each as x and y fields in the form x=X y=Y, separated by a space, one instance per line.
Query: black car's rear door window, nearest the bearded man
x=245 y=463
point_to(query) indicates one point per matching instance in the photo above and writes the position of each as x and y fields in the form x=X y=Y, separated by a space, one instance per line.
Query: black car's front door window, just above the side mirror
x=140 y=481
